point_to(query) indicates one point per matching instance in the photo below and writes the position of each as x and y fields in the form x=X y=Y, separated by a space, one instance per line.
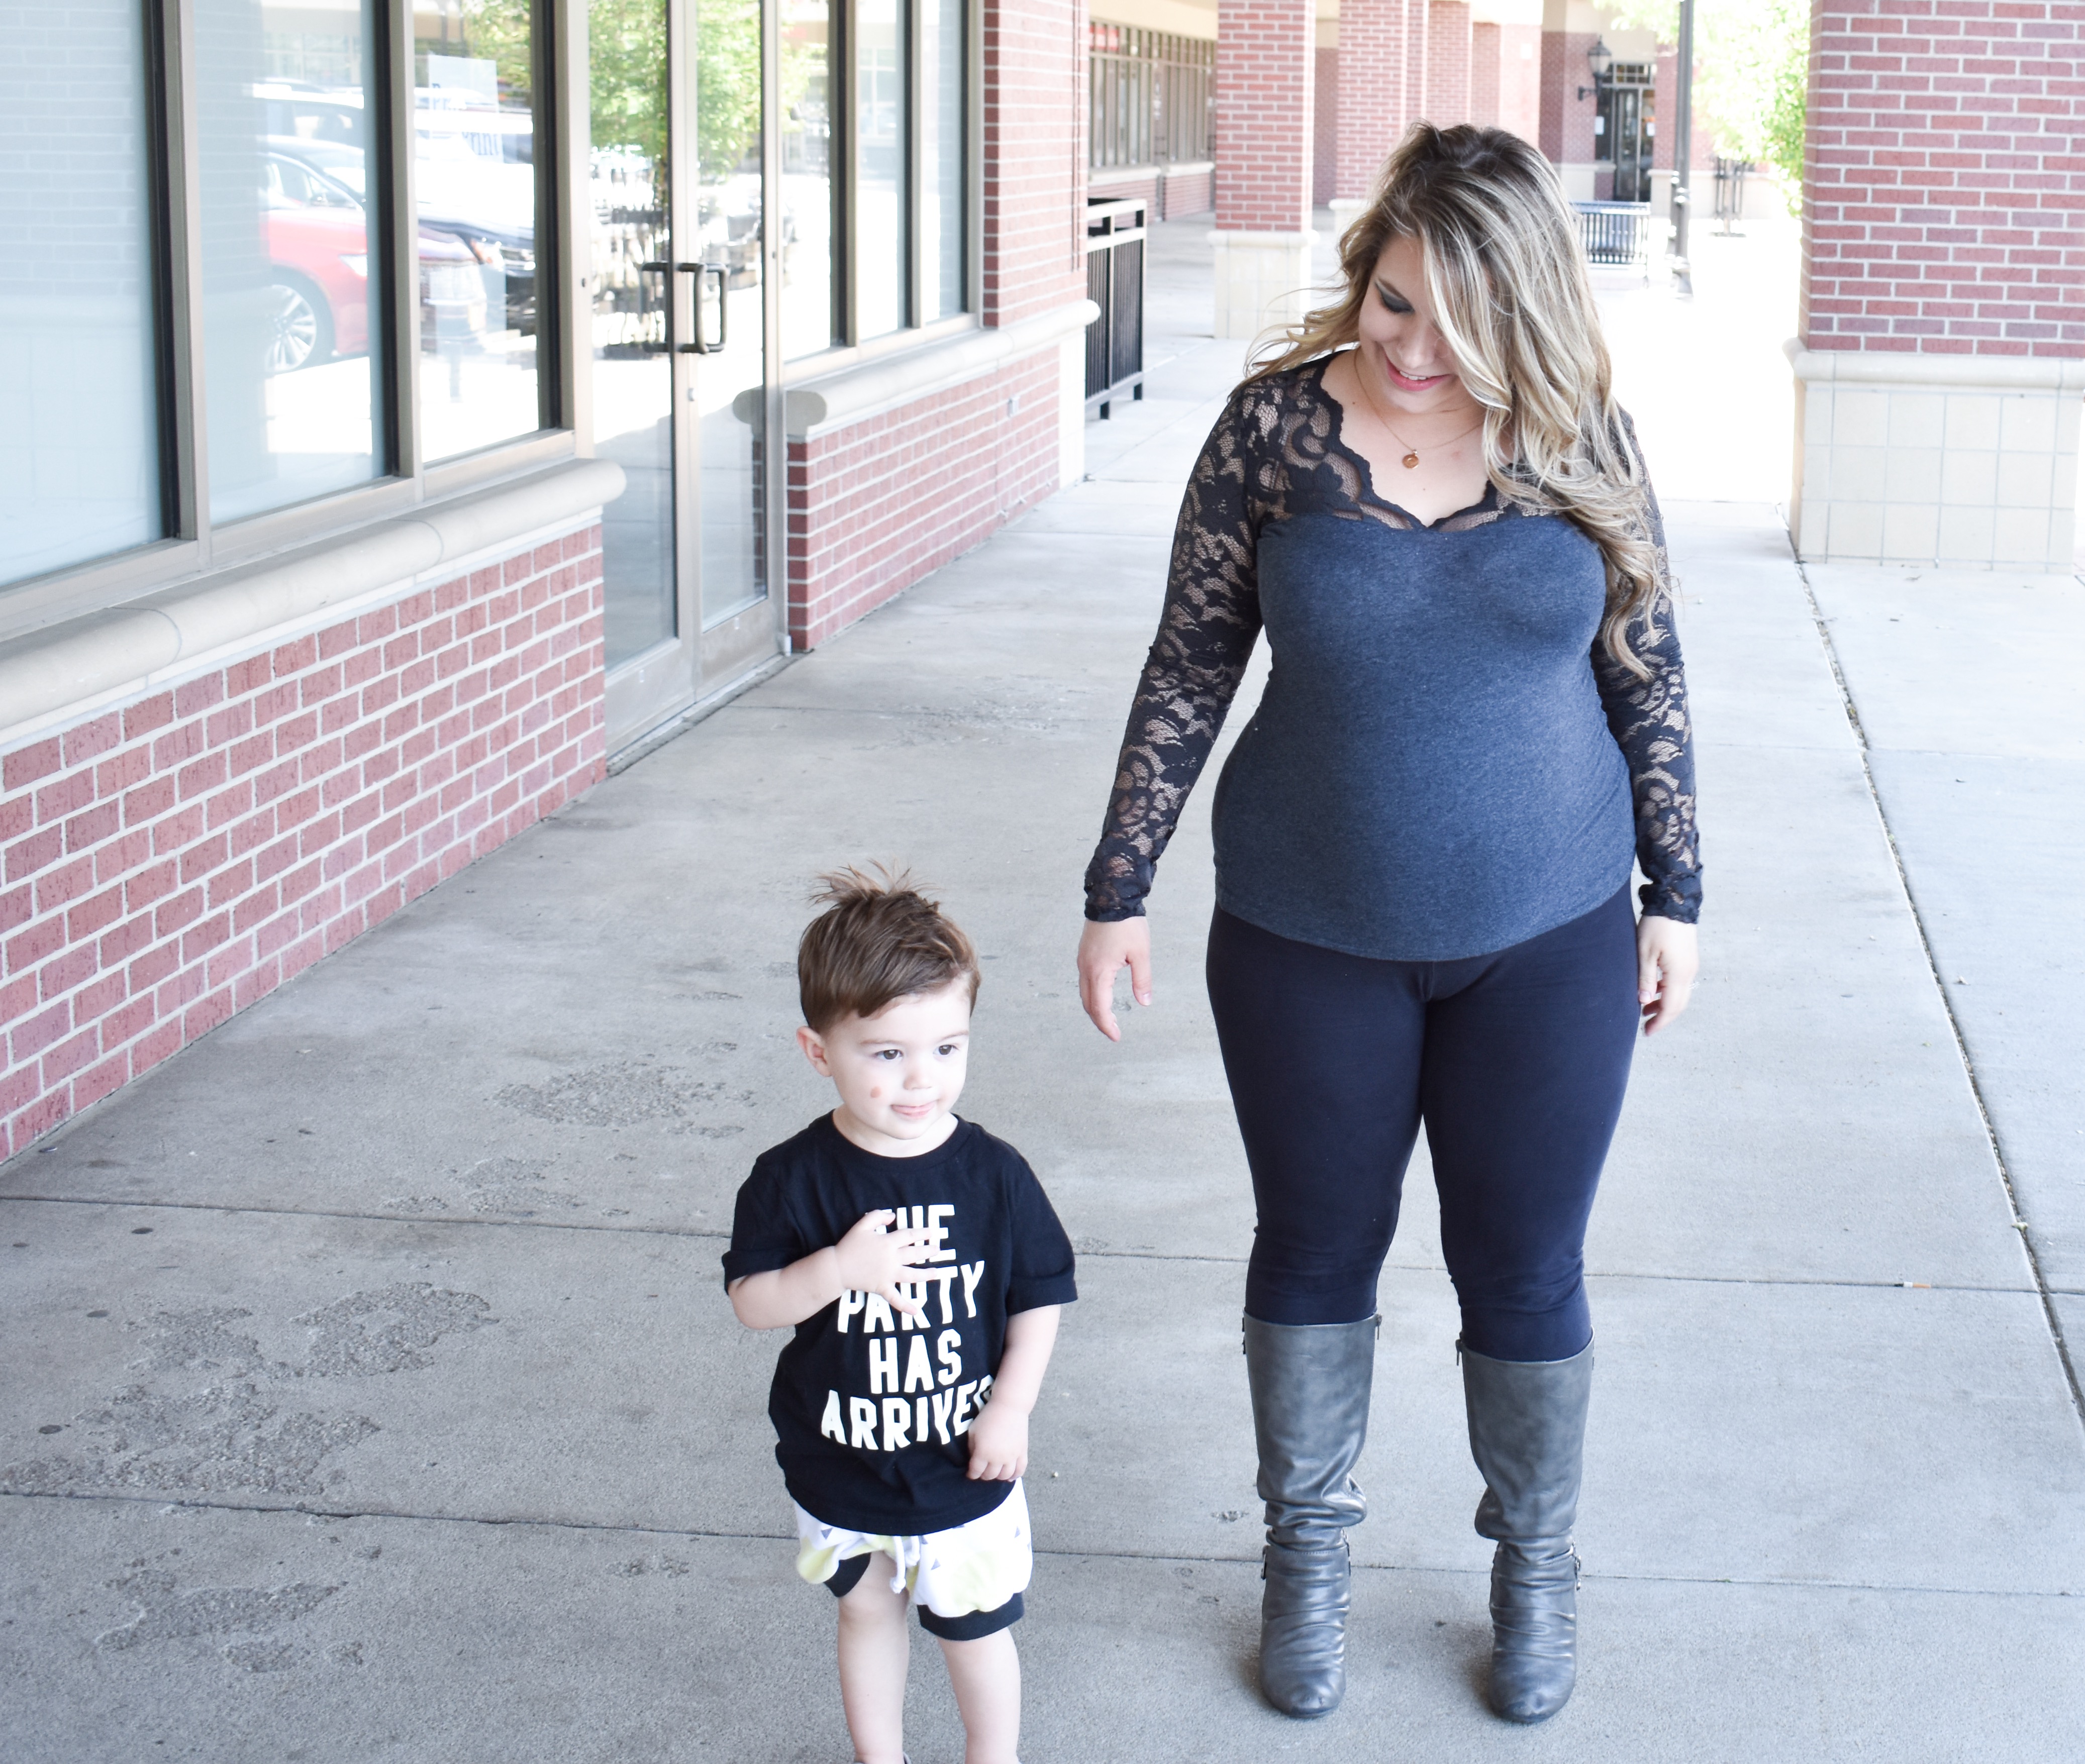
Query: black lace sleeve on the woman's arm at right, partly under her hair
x=1657 y=737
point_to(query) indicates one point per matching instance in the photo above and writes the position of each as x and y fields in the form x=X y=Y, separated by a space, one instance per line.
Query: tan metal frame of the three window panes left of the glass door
x=193 y=545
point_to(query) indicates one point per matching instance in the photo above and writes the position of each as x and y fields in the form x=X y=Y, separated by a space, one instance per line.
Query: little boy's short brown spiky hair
x=881 y=941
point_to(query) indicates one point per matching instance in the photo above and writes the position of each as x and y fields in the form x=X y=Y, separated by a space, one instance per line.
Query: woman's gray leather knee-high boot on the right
x=1527 y=1434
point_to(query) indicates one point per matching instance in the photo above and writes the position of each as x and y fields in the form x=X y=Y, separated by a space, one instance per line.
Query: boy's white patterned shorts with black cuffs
x=966 y=1582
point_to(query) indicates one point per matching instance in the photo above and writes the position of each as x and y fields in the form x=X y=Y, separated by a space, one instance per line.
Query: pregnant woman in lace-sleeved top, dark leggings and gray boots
x=1473 y=727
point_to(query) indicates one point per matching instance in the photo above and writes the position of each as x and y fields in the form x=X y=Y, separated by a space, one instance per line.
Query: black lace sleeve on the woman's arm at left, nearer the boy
x=1198 y=660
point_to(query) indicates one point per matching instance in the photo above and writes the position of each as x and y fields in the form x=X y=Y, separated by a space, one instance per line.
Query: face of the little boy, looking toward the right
x=898 y=1073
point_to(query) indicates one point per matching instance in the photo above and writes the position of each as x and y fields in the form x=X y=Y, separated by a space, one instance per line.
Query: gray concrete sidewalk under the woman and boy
x=376 y=1396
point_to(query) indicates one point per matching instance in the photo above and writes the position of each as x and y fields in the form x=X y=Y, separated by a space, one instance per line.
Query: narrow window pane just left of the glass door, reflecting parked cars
x=474 y=176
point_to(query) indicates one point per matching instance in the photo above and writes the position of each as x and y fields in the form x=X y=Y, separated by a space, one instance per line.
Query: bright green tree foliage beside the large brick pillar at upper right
x=1755 y=72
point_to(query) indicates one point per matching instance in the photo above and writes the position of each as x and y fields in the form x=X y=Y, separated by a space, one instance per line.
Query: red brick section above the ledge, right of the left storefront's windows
x=1035 y=157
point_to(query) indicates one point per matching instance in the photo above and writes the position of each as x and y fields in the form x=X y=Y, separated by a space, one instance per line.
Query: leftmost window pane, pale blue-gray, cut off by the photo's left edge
x=78 y=445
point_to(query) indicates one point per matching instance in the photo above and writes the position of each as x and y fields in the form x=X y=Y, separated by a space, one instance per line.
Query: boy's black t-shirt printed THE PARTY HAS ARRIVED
x=873 y=1408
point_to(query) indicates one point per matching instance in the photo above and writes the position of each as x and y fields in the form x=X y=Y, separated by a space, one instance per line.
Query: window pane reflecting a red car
x=295 y=391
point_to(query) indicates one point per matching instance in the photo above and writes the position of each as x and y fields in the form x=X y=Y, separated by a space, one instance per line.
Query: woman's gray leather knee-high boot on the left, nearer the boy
x=1310 y=1413
